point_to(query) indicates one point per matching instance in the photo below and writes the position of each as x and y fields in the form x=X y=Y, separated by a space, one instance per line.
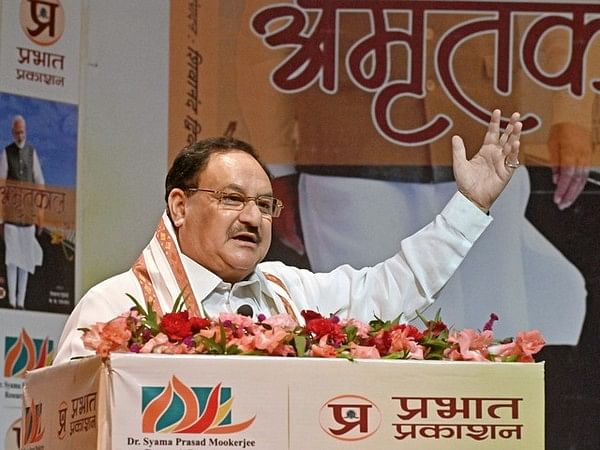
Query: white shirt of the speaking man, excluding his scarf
x=402 y=284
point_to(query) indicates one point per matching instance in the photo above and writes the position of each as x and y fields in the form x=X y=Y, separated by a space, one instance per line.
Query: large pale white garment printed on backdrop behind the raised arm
x=515 y=272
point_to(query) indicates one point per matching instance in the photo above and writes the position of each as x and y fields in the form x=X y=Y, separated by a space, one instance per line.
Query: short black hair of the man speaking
x=192 y=160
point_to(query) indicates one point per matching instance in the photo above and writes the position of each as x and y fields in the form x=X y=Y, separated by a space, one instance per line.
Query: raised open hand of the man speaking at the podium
x=482 y=178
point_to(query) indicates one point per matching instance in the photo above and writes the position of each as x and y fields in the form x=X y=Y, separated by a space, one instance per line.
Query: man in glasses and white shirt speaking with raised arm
x=216 y=230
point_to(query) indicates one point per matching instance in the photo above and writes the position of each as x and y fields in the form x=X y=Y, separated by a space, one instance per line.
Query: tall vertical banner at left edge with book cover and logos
x=39 y=117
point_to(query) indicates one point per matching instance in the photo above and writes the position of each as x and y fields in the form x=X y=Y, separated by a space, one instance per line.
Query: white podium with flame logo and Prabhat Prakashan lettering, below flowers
x=189 y=402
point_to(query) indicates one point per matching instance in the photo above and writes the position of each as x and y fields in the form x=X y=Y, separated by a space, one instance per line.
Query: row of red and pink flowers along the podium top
x=141 y=331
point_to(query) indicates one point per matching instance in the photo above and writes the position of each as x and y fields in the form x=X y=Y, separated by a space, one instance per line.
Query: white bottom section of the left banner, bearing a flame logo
x=28 y=341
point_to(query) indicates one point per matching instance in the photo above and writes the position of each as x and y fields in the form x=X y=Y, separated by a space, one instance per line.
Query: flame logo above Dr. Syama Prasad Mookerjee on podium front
x=178 y=408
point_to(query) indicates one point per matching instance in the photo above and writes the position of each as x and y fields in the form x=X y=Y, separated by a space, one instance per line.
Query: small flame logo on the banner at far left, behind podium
x=23 y=354
